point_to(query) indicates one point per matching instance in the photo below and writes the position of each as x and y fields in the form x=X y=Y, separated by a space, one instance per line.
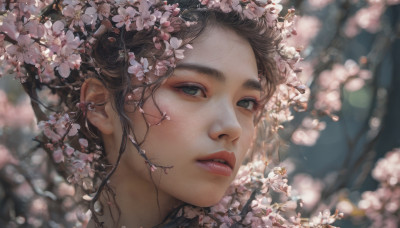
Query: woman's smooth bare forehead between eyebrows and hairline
x=222 y=49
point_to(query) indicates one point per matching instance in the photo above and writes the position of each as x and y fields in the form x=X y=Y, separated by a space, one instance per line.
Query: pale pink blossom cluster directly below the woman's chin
x=248 y=203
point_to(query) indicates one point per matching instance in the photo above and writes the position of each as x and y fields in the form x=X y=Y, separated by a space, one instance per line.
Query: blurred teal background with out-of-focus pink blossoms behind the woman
x=342 y=153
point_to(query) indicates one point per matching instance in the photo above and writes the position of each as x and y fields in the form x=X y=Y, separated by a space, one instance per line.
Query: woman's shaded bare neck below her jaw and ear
x=140 y=203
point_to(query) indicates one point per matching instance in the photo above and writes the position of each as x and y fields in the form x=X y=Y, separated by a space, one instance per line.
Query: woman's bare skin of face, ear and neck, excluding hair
x=212 y=101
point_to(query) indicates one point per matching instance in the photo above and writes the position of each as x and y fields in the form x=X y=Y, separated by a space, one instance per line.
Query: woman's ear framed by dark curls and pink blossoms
x=101 y=116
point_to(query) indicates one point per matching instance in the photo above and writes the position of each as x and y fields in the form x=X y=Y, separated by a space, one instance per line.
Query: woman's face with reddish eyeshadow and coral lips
x=211 y=100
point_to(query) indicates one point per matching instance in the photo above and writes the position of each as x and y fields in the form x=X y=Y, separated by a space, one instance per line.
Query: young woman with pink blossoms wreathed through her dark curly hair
x=169 y=100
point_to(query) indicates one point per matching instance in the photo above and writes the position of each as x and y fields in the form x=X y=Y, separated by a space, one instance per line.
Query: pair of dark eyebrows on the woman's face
x=217 y=75
